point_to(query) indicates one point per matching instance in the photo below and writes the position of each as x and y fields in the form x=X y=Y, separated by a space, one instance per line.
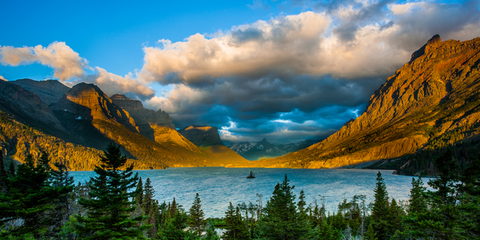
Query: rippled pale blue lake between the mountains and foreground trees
x=219 y=186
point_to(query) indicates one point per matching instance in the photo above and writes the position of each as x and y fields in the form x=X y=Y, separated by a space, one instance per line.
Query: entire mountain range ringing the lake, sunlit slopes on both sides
x=430 y=103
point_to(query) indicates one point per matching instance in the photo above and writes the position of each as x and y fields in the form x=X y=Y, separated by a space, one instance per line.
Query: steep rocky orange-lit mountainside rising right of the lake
x=437 y=92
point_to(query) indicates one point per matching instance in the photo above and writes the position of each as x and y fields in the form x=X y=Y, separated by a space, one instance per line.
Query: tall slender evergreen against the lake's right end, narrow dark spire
x=380 y=209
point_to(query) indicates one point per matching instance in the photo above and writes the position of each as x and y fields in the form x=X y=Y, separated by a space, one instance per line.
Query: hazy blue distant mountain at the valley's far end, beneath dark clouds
x=264 y=149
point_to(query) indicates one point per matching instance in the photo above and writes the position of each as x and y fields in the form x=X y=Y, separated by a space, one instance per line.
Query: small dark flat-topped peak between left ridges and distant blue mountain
x=202 y=136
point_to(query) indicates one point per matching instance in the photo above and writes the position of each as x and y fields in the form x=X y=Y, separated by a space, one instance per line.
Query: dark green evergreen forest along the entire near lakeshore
x=38 y=200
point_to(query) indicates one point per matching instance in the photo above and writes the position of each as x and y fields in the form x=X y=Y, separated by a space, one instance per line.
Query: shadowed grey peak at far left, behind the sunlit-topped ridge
x=50 y=91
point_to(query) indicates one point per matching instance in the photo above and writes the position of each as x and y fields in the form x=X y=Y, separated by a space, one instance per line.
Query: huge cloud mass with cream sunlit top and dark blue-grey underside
x=298 y=76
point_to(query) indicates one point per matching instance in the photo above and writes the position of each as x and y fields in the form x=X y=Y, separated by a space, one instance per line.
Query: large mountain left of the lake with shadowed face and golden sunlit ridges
x=84 y=120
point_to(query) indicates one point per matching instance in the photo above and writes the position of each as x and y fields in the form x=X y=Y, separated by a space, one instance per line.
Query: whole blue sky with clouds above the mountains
x=281 y=70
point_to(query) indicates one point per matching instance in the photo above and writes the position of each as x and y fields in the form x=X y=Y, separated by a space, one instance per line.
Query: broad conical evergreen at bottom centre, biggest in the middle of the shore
x=281 y=219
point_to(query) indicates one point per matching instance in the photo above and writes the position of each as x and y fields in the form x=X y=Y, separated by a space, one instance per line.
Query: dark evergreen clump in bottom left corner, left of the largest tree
x=33 y=200
